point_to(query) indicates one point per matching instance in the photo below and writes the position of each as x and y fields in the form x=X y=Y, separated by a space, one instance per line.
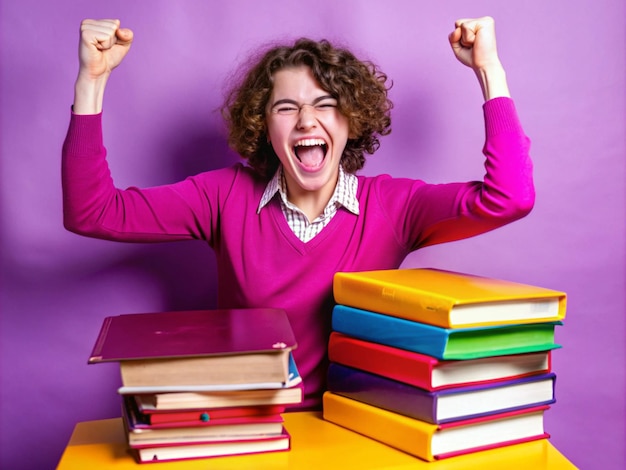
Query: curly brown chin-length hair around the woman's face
x=359 y=87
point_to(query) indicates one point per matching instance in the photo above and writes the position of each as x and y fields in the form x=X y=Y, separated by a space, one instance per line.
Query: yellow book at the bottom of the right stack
x=431 y=441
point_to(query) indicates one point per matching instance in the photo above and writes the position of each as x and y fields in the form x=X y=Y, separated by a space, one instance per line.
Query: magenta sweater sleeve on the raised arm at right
x=432 y=214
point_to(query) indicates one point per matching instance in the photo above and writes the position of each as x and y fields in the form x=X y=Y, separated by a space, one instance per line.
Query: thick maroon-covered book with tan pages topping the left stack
x=198 y=347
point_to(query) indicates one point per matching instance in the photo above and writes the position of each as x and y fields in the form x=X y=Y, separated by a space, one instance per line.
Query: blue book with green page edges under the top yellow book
x=444 y=343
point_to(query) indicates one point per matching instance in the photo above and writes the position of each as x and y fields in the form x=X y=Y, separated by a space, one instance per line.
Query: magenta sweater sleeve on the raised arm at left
x=94 y=207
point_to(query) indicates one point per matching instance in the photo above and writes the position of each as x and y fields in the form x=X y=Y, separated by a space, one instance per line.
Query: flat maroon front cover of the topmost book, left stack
x=192 y=333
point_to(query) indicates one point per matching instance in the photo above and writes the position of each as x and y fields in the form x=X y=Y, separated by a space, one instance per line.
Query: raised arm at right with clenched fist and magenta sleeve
x=435 y=214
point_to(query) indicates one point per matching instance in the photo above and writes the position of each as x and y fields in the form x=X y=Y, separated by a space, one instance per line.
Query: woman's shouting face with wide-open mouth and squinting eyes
x=307 y=132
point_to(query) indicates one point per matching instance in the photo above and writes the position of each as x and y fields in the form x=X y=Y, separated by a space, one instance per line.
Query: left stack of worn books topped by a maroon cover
x=202 y=383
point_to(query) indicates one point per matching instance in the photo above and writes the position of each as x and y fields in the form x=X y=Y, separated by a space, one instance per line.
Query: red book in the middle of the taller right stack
x=428 y=372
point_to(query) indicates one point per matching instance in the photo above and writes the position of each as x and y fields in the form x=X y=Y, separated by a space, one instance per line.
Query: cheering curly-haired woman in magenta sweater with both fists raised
x=303 y=116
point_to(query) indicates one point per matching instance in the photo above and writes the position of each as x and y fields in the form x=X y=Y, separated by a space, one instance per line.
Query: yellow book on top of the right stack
x=448 y=299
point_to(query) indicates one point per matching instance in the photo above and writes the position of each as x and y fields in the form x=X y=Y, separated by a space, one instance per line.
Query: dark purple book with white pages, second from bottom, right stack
x=441 y=406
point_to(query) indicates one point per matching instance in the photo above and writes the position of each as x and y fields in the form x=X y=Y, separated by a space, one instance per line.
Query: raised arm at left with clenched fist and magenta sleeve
x=92 y=205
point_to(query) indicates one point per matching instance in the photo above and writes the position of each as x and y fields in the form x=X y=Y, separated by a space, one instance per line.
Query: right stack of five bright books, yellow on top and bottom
x=437 y=363
